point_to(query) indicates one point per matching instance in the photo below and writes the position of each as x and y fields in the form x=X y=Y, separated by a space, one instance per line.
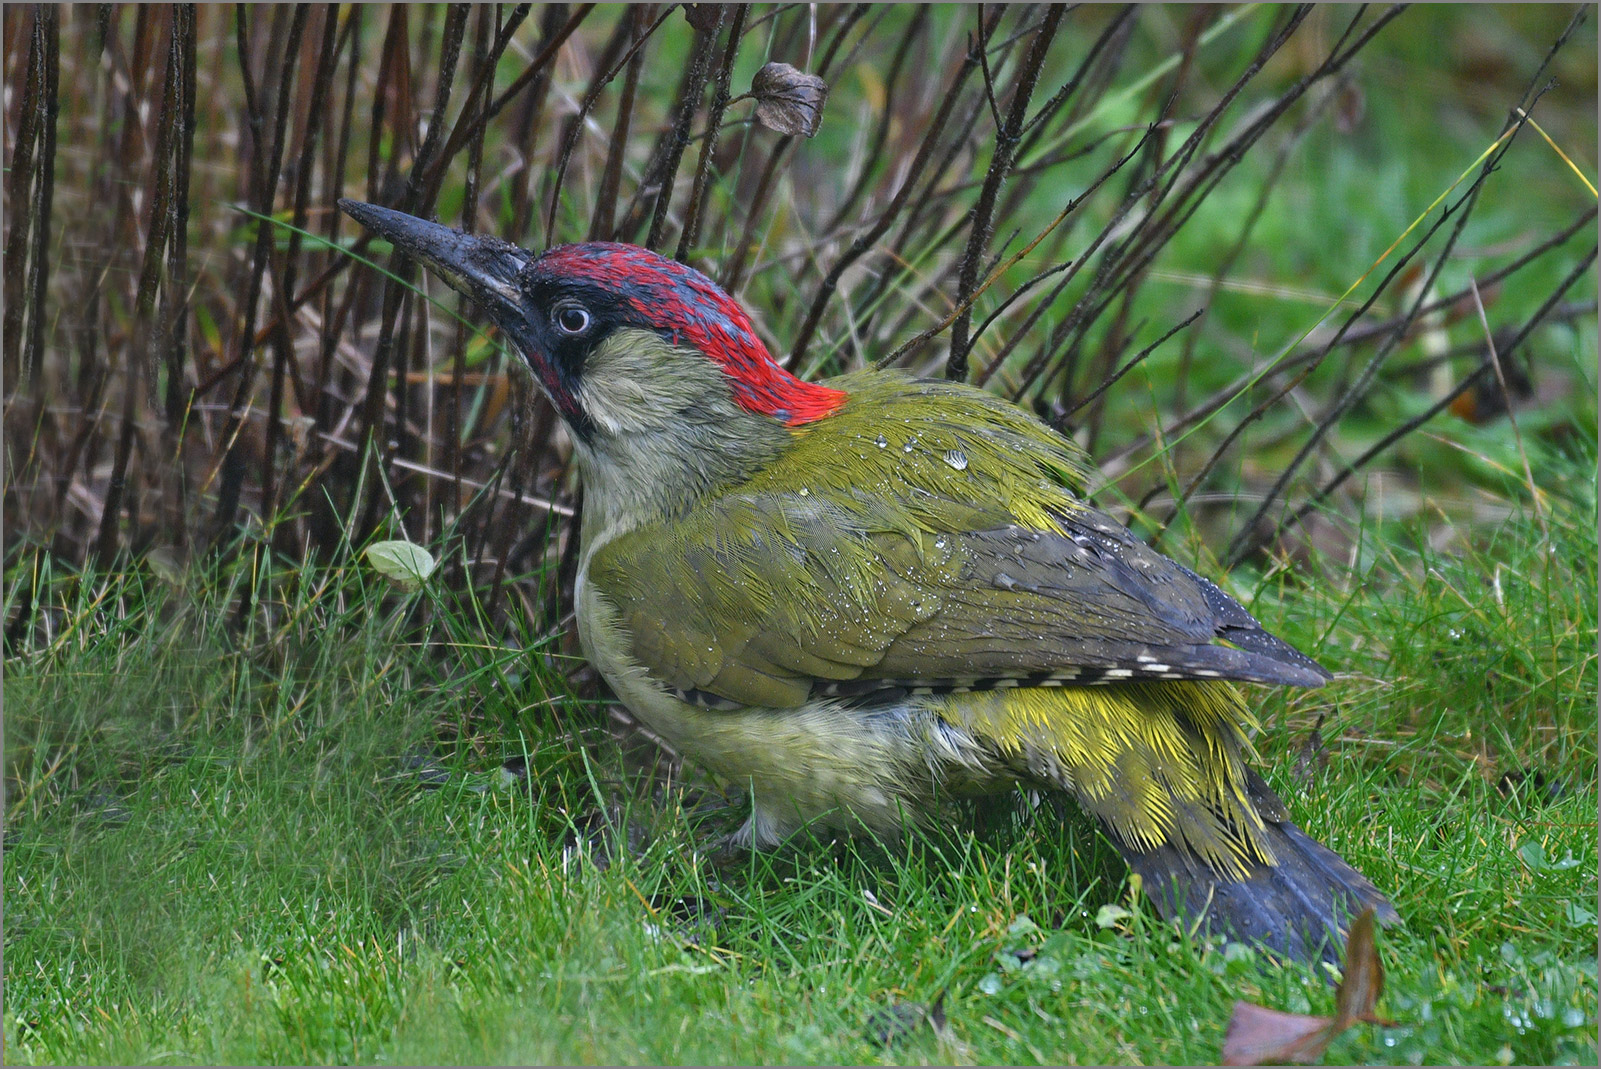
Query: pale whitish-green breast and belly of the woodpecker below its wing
x=823 y=763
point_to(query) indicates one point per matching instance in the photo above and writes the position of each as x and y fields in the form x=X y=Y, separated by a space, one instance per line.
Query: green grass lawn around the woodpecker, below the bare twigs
x=223 y=848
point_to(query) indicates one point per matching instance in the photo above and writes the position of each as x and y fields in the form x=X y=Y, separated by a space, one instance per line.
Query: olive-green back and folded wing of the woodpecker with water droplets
x=887 y=549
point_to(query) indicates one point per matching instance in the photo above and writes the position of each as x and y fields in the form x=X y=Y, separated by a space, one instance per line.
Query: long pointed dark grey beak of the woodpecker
x=485 y=268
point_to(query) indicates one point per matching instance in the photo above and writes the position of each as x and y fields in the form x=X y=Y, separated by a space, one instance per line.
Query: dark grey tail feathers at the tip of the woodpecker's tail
x=1298 y=907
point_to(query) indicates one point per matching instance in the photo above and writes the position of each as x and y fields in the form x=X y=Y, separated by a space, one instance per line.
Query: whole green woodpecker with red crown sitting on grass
x=866 y=595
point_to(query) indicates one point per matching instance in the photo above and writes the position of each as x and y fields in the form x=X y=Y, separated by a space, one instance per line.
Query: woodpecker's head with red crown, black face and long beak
x=621 y=340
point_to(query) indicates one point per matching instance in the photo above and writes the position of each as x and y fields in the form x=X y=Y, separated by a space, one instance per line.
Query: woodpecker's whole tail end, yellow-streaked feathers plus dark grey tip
x=1162 y=765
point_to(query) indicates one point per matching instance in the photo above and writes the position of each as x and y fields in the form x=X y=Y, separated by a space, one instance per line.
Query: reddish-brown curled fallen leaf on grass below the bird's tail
x=1258 y=1036
